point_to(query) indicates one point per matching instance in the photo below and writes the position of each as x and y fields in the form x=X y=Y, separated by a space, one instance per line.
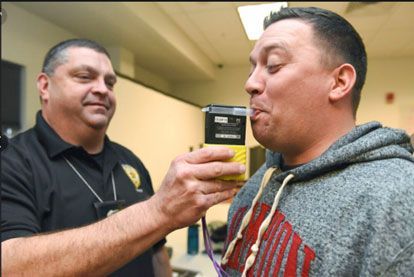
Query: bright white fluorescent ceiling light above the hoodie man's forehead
x=252 y=17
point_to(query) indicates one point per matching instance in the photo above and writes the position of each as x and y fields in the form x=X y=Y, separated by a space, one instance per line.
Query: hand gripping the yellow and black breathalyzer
x=190 y=187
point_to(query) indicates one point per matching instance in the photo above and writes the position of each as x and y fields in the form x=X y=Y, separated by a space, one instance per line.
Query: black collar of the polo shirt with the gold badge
x=51 y=141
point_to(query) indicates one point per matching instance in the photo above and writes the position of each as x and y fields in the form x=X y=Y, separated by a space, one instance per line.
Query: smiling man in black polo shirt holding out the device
x=62 y=179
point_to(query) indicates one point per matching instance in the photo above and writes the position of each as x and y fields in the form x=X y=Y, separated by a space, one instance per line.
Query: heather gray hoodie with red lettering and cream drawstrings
x=349 y=212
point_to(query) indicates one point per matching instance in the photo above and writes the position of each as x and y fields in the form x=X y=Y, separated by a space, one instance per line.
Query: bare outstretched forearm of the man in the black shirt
x=96 y=249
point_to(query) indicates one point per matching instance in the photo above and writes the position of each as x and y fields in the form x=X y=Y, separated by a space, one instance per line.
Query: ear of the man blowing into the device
x=344 y=81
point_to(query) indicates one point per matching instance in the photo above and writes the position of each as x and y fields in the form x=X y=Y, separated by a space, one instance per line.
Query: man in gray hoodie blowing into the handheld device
x=333 y=198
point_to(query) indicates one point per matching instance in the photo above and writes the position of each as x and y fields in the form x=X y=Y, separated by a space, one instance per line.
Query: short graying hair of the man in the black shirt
x=57 y=54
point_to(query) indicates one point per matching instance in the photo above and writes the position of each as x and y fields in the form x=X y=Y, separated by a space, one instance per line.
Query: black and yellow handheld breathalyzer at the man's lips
x=226 y=125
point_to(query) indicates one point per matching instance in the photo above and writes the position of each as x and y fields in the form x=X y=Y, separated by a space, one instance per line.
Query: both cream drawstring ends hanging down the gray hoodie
x=263 y=227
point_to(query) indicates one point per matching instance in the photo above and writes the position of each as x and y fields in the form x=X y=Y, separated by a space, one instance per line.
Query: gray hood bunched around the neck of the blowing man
x=367 y=142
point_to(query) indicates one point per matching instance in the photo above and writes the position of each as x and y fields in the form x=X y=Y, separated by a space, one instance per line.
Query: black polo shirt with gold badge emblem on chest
x=41 y=192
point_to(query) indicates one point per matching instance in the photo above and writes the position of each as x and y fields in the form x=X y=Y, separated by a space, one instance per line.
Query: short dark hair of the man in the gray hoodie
x=339 y=40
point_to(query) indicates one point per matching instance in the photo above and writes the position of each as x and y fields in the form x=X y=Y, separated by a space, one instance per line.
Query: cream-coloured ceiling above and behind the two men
x=185 y=41
